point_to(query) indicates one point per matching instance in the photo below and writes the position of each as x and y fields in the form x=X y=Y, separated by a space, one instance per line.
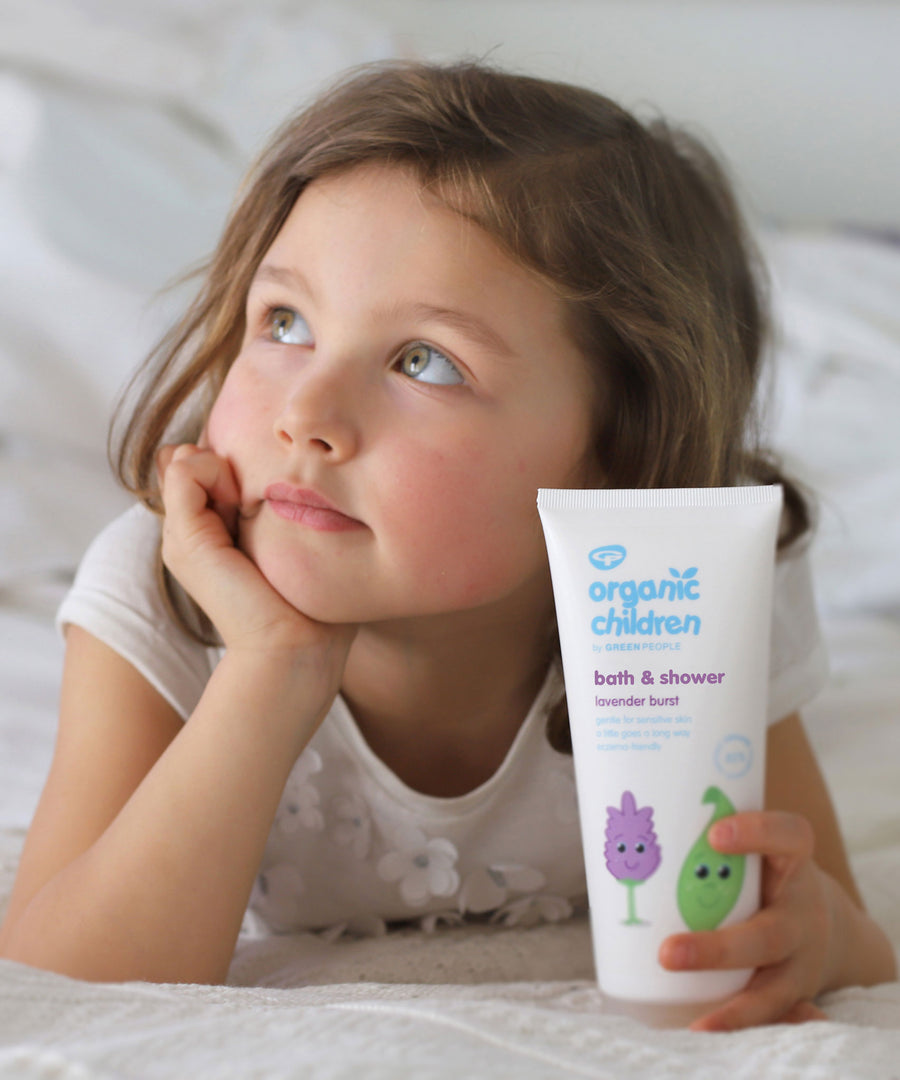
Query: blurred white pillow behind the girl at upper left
x=125 y=129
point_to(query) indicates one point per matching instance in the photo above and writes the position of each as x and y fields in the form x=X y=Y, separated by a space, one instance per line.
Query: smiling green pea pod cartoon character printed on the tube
x=710 y=882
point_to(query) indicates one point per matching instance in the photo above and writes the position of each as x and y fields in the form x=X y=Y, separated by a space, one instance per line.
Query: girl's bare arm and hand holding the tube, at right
x=813 y=934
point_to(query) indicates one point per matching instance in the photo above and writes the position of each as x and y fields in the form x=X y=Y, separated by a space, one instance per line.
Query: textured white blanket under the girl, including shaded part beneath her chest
x=464 y=1003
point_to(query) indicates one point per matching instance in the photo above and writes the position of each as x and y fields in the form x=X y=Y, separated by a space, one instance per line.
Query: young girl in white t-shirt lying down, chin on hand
x=442 y=290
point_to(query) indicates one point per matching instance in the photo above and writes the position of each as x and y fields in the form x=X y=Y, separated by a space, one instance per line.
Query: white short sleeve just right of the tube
x=799 y=666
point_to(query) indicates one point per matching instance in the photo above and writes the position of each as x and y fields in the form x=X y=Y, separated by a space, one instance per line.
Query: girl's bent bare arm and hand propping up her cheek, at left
x=143 y=853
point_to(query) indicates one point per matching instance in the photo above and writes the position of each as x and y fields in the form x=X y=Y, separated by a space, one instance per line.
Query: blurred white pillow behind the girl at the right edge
x=838 y=415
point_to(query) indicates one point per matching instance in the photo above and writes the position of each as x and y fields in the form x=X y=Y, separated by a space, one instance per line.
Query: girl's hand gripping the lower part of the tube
x=790 y=941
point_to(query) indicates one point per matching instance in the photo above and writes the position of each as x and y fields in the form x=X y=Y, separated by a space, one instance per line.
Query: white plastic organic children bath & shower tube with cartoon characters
x=664 y=602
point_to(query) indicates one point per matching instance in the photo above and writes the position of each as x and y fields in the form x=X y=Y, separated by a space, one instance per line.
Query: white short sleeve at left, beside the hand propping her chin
x=116 y=597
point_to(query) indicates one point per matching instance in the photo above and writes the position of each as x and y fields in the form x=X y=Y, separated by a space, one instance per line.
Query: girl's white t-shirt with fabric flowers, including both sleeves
x=352 y=845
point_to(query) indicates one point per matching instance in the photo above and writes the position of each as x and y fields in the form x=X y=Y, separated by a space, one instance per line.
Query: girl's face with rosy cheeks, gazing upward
x=399 y=368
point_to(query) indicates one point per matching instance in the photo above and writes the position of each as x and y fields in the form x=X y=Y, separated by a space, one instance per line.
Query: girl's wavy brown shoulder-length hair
x=634 y=225
